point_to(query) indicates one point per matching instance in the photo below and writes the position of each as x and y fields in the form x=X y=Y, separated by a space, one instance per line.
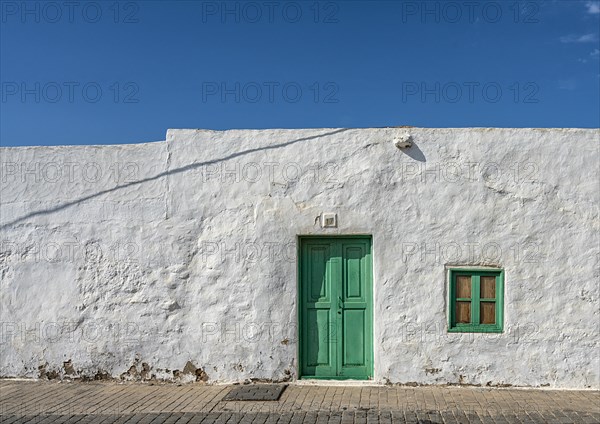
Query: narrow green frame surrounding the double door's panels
x=299 y=240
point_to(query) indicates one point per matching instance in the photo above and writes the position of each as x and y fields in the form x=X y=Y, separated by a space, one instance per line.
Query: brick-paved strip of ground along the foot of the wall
x=95 y=403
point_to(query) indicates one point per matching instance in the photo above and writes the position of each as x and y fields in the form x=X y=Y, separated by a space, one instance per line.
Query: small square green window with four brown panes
x=476 y=300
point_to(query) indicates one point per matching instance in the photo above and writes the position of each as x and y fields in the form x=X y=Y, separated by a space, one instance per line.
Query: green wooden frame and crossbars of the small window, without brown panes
x=474 y=326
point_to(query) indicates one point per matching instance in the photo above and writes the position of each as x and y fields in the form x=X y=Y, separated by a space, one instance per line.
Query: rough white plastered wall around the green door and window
x=185 y=250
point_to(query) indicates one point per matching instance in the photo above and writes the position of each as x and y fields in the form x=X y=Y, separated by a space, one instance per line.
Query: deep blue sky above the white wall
x=106 y=72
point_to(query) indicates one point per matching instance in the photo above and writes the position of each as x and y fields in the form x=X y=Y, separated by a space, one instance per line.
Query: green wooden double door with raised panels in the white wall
x=336 y=308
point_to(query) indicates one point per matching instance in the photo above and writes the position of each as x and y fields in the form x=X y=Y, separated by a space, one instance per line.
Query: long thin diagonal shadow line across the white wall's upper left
x=163 y=174
